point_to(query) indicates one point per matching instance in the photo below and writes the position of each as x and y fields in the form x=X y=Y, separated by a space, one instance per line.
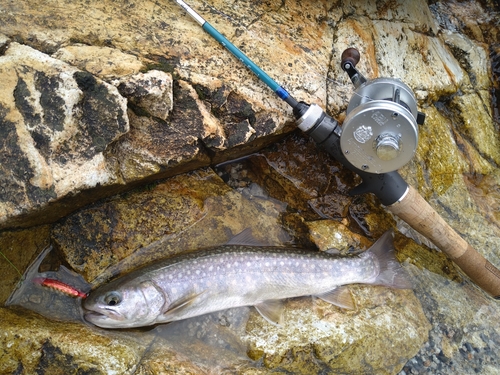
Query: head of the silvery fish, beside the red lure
x=126 y=305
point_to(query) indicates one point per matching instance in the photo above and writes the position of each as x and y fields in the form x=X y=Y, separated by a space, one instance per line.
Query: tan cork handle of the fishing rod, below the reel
x=415 y=210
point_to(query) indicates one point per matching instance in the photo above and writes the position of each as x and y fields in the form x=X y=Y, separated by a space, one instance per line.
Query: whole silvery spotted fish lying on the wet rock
x=235 y=275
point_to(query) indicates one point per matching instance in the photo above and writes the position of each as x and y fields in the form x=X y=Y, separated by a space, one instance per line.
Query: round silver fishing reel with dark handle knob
x=380 y=131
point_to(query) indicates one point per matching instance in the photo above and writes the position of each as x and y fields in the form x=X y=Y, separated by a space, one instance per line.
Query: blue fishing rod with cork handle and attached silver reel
x=378 y=136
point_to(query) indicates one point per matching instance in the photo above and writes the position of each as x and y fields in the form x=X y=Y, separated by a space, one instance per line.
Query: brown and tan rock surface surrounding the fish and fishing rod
x=101 y=102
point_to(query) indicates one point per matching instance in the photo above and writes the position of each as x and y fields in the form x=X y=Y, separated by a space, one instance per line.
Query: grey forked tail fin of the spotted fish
x=391 y=274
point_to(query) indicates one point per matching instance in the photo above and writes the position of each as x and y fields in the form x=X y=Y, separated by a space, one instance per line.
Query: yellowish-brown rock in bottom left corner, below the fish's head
x=33 y=344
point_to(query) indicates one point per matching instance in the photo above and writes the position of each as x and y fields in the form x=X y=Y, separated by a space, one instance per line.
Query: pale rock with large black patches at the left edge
x=55 y=133
